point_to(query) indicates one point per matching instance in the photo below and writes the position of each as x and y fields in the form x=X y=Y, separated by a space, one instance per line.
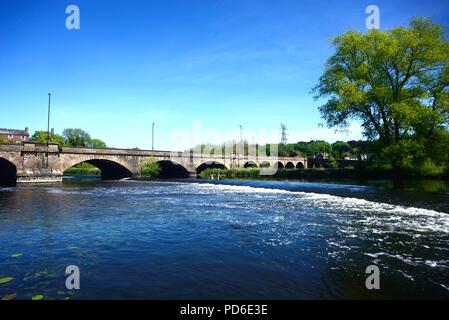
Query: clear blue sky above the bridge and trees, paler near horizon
x=181 y=64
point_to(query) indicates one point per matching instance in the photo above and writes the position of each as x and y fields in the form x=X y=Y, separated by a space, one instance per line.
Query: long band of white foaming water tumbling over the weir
x=375 y=214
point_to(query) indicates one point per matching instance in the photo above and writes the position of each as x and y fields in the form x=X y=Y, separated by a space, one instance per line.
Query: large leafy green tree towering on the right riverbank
x=395 y=82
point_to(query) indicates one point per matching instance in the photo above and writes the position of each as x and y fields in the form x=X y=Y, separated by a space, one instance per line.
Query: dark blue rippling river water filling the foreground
x=222 y=240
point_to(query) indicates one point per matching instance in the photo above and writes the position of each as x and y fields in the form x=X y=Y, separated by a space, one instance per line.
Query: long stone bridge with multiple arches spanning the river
x=34 y=162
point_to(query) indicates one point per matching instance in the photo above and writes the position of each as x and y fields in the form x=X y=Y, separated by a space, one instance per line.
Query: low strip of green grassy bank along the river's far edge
x=318 y=174
